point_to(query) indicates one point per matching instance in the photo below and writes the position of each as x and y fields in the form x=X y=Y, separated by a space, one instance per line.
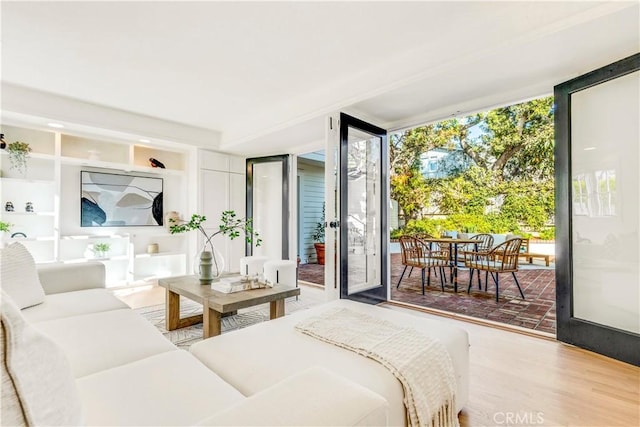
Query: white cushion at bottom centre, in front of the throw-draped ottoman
x=313 y=397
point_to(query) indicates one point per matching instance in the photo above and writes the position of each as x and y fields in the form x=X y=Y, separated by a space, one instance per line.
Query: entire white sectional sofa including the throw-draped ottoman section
x=76 y=355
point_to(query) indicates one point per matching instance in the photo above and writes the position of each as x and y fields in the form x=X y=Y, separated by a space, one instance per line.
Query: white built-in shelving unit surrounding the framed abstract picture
x=52 y=185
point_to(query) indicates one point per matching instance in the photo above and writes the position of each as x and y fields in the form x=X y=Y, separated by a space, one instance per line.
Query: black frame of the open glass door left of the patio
x=379 y=294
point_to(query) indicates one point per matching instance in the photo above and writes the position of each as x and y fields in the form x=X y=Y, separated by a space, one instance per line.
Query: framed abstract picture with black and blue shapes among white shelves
x=113 y=200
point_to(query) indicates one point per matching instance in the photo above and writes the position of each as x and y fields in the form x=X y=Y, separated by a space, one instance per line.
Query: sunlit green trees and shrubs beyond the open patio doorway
x=509 y=186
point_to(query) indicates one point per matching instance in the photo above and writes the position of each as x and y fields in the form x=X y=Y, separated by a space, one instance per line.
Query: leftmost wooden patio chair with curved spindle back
x=416 y=253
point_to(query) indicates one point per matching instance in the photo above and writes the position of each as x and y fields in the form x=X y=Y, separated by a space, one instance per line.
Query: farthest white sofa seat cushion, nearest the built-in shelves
x=69 y=304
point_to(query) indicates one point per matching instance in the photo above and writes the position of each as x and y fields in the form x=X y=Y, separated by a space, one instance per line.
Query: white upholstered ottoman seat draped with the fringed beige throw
x=284 y=351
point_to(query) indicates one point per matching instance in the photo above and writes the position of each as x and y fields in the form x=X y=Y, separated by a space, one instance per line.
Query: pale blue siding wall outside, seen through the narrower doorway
x=311 y=199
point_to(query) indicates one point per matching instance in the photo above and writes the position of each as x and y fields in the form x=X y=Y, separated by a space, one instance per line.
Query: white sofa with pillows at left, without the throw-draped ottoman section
x=82 y=357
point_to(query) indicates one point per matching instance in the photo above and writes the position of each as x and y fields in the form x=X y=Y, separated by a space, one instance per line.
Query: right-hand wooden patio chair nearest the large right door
x=501 y=259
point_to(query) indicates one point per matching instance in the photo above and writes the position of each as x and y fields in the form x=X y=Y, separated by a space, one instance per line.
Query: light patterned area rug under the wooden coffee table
x=184 y=337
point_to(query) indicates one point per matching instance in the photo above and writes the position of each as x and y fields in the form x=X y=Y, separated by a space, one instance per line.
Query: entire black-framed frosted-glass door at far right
x=597 y=210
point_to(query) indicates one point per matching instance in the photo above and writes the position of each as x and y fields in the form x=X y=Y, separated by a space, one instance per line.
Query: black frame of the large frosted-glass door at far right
x=612 y=342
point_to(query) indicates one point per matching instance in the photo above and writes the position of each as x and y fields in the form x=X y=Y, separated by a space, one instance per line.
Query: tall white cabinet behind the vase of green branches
x=222 y=189
